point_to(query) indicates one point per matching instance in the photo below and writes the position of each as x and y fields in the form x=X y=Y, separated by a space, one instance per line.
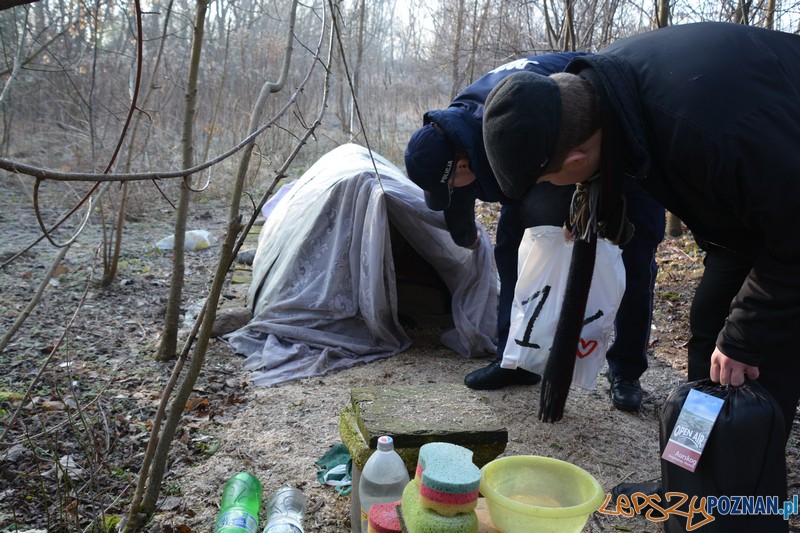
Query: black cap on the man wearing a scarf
x=521 y=124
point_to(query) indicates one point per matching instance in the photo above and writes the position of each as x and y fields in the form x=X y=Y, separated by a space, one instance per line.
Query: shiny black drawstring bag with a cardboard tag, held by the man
x=743 y=457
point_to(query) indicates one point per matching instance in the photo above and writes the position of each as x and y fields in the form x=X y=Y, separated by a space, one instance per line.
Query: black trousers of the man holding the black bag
x=724 y=273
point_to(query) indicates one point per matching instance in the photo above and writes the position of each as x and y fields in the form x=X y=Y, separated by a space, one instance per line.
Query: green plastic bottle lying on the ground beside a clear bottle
x=241 y=500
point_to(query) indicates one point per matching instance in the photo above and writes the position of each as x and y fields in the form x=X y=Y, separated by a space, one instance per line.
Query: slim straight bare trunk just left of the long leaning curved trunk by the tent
x=169 y=339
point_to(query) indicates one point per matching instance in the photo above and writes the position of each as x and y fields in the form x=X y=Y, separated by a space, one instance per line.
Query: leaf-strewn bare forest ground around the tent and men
x=96 y=388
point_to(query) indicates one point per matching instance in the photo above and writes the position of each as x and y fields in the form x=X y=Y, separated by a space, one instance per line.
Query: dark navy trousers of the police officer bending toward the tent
x=547 y=204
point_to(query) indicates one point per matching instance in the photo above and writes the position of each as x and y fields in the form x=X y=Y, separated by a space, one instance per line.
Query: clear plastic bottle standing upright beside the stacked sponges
x=383 y=479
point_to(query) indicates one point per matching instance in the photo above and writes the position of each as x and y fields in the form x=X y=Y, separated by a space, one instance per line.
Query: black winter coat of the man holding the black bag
x=708 y=118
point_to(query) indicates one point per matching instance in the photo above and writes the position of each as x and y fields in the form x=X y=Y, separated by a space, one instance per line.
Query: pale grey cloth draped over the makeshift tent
x=323 y=292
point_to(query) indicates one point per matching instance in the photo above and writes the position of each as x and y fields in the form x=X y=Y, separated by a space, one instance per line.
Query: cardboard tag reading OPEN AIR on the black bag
x=691 y=430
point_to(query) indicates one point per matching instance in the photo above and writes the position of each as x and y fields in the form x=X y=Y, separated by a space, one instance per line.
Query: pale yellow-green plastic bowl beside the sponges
x=529 y=493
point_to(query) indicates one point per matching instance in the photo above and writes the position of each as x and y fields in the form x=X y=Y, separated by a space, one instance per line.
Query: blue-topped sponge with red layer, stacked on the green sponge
x=448 y=479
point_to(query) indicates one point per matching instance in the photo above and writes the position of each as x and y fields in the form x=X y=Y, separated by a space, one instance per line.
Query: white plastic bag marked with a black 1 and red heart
x=544 y=257
